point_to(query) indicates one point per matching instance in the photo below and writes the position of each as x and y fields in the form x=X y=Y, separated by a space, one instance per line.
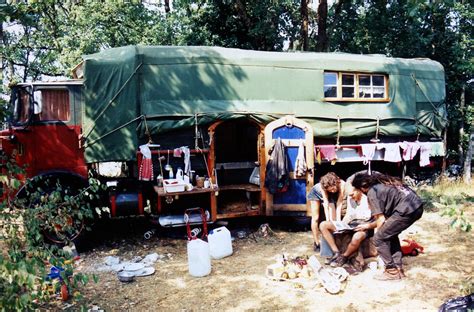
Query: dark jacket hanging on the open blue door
x=277 y=177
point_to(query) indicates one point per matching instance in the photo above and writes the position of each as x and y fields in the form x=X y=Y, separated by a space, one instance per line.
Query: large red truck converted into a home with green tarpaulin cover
x=135 y=116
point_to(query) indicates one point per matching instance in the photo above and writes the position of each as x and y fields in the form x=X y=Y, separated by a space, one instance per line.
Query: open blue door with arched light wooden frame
x=291 y=131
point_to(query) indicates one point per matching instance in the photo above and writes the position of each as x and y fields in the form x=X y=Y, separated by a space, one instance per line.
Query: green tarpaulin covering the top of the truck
x=171 y=86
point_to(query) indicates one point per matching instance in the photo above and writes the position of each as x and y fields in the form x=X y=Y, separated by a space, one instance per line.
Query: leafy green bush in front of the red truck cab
x=26 y=258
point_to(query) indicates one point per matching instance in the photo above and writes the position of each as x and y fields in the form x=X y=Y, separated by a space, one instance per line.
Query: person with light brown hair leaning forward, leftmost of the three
x=330 y=193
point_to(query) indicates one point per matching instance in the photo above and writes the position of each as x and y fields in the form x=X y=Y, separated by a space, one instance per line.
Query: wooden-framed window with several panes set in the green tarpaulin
x=356 y=97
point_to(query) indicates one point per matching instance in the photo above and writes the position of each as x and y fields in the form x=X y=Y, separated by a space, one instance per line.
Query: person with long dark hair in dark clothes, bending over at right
x=395 y=207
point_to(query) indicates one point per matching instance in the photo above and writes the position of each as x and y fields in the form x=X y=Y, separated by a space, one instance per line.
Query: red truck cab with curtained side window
x=44 y=130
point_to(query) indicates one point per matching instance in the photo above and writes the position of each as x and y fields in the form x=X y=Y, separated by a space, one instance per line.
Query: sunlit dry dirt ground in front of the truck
x=238 y=282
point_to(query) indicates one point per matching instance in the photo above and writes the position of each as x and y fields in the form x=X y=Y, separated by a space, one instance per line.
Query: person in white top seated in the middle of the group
x=358 y=217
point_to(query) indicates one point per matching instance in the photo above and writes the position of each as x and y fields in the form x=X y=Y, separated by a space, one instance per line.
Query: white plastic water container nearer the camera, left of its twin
x=199 y=258
